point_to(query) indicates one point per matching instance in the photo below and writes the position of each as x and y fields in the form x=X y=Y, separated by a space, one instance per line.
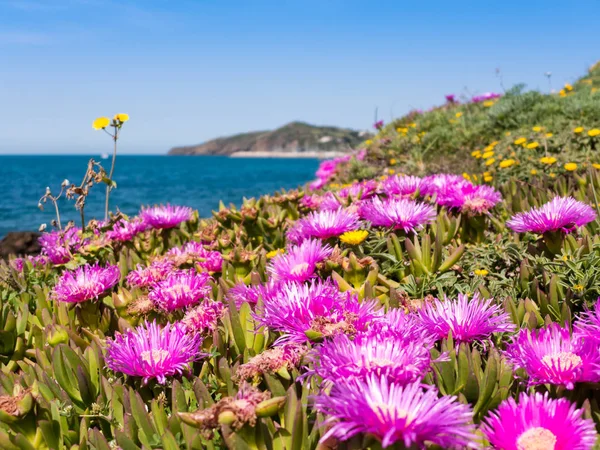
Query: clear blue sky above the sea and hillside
x=187 y=71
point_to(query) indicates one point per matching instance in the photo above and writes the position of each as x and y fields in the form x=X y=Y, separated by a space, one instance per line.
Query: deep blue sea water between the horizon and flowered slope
x=196 y=181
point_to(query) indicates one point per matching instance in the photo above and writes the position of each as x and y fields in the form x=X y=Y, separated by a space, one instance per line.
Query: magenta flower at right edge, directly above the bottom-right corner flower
x=551 y=355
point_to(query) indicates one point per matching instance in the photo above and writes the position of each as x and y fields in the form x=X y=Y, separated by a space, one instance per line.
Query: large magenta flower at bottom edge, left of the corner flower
x=410 y=415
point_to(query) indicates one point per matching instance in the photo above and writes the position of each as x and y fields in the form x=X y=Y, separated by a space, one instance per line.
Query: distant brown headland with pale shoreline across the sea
x=296 y=139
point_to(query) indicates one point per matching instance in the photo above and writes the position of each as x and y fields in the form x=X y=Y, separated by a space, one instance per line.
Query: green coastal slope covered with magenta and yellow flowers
x=395 y=302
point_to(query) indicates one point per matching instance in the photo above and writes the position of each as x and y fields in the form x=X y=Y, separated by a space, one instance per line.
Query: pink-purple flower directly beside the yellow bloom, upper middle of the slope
x=323 y=225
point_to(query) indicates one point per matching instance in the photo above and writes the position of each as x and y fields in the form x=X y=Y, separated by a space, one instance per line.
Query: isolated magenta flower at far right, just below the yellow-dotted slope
x=559 y=214
